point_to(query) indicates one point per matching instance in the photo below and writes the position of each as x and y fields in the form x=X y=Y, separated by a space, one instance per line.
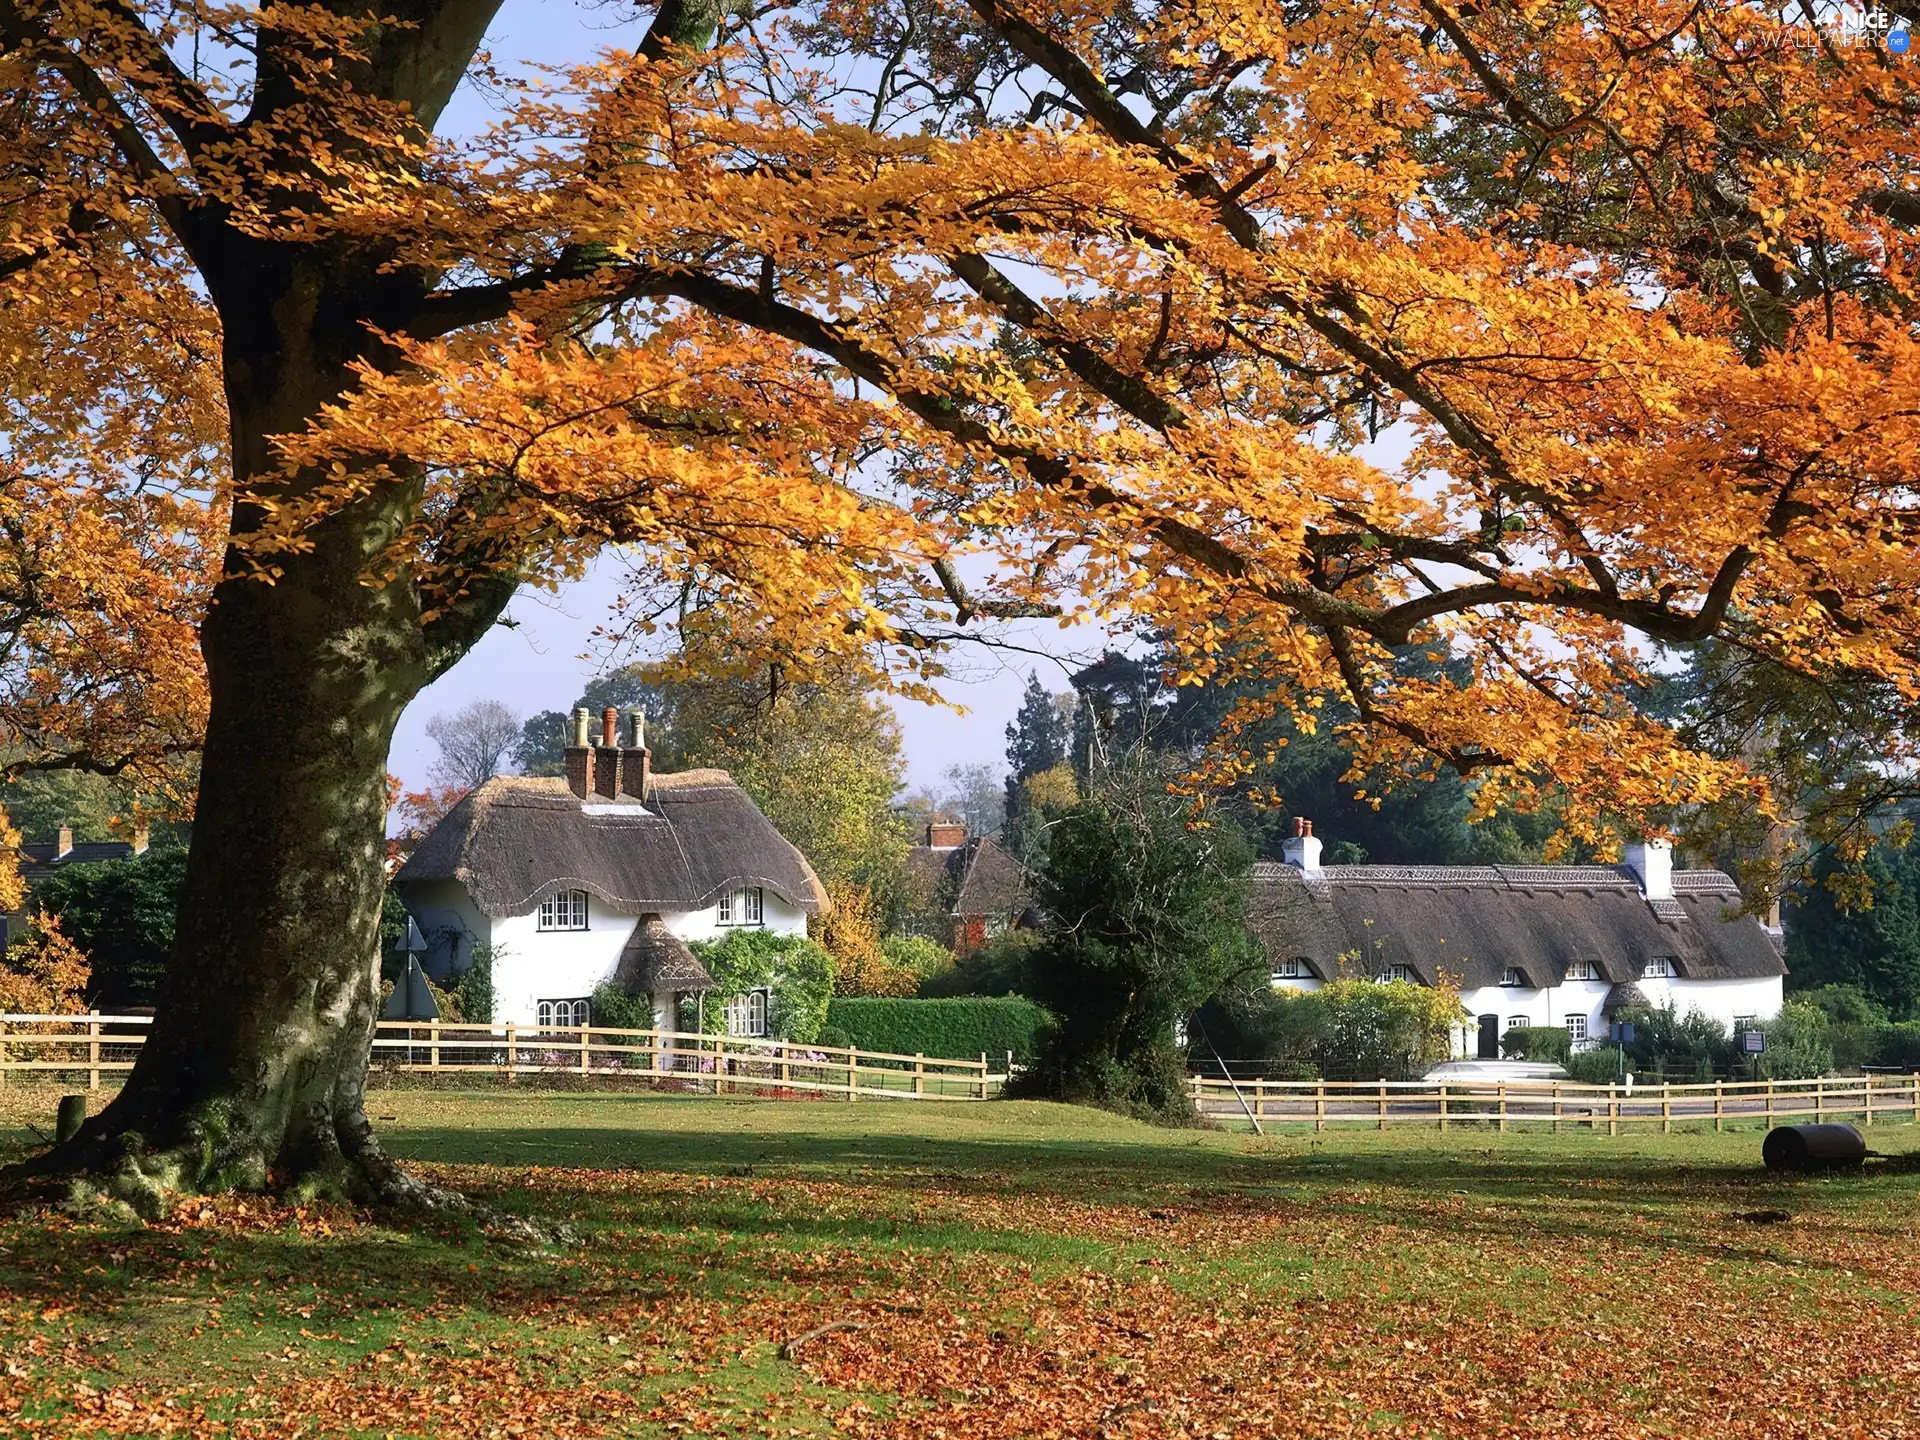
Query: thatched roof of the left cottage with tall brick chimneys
x=517 y=840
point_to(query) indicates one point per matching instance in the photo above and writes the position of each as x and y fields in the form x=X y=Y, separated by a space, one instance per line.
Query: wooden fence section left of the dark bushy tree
x=721 y=1065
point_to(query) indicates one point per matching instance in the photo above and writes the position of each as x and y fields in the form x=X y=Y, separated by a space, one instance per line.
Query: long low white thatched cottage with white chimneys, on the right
x=1527 y=946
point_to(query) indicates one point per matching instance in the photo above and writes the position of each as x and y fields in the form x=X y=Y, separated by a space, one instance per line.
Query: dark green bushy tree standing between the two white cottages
x=1149 y=923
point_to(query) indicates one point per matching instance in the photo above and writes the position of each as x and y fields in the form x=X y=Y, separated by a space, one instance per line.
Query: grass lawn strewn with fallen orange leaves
x=992 y=1270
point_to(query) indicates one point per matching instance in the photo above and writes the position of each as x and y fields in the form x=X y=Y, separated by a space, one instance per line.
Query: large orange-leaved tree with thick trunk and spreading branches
x=807 y=304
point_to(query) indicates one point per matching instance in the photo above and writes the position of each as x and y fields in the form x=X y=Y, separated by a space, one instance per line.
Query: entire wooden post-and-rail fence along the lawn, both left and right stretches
x=68 y=1049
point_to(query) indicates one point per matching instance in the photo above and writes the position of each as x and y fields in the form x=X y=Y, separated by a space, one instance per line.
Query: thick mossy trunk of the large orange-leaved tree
x=254 y=1068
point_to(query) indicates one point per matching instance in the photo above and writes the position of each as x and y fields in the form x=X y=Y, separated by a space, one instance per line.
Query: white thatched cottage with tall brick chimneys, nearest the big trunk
x=602 y=876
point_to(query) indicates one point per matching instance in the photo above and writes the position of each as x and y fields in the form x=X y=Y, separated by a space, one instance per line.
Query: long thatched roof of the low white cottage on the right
x=1477 y=923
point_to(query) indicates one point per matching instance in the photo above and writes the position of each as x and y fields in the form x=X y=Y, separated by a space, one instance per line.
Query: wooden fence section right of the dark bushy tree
x=1558 y=1105
